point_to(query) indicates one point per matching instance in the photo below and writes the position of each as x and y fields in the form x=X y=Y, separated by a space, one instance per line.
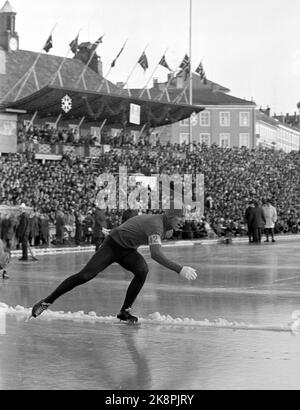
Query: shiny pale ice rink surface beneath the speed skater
x=247 y=294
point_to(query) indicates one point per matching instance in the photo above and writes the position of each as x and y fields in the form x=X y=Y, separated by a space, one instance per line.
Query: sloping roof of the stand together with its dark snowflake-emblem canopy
x=40 y=93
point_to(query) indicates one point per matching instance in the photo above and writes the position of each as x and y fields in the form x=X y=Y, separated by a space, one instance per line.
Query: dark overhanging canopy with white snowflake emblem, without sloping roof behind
x=97 y=107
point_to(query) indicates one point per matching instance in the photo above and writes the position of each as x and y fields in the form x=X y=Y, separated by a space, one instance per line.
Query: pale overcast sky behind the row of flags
x=251 y=47
